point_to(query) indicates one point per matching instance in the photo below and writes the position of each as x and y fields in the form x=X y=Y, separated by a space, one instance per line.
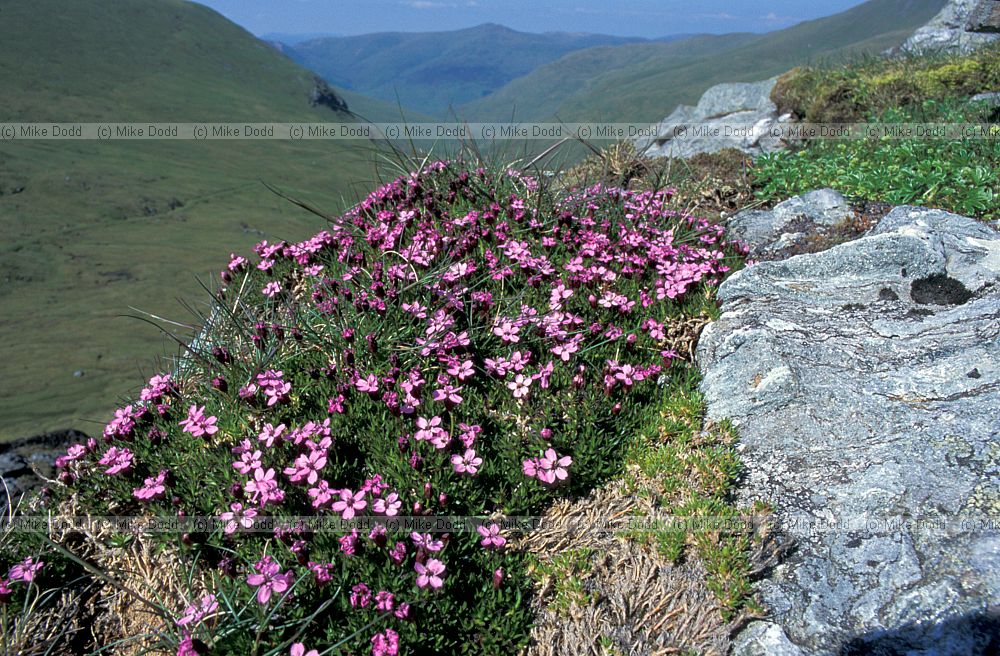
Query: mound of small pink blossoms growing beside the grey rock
x=591 y=318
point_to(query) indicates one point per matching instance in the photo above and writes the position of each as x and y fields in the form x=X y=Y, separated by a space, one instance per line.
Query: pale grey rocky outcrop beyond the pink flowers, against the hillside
x=737 y=115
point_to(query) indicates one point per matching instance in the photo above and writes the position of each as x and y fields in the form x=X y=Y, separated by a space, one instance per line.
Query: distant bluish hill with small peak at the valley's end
x=433 y=71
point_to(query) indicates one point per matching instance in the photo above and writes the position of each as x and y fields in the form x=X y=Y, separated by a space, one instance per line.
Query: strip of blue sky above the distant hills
x=647 y=18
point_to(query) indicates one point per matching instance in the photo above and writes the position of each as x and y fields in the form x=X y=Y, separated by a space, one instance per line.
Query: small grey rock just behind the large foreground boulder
x=789 y=223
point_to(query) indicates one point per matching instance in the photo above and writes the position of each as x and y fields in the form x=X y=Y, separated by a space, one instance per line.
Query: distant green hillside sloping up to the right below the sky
x=644 y=82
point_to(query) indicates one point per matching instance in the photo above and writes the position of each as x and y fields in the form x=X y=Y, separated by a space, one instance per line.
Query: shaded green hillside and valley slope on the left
x=91 y=228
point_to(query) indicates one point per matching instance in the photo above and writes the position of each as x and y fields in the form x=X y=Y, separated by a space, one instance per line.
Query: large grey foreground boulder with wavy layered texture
x=865 y=383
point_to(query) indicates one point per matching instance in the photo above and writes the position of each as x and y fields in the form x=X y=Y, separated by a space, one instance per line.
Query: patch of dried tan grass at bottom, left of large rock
x=638 y=602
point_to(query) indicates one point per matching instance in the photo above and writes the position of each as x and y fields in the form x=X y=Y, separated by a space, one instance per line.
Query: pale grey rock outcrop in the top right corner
x=961 y=26
